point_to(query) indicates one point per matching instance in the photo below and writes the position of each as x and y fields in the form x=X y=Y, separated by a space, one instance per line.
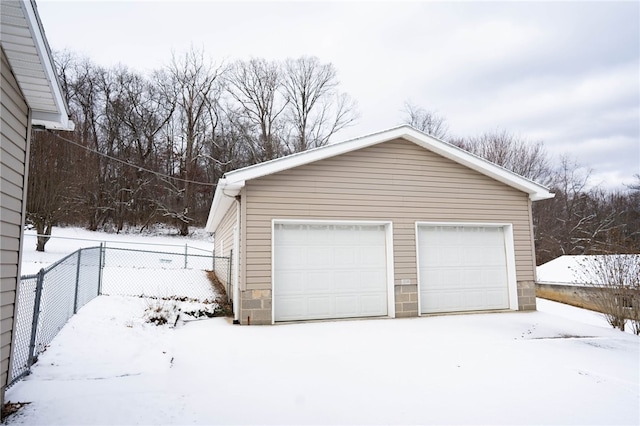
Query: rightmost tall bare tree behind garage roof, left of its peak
x=316 y=110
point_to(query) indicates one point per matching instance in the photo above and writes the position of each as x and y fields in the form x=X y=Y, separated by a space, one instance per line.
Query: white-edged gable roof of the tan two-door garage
x=232 y=182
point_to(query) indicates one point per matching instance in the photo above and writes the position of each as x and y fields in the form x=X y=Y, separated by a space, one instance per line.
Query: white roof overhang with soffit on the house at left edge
x=25 y=45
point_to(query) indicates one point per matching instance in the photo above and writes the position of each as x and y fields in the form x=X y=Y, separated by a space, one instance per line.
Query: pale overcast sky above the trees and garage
x=566 y=73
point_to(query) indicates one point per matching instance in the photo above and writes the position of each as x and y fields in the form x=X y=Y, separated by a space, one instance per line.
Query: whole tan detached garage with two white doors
x=393 y=224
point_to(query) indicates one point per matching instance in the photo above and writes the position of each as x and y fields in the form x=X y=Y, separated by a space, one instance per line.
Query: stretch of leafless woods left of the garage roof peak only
x=149 y=148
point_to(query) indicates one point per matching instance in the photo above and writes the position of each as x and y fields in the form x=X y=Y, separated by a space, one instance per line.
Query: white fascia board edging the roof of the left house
x=60 y=119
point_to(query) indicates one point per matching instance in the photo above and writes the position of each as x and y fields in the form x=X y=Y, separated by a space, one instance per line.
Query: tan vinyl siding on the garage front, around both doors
x=396 y=181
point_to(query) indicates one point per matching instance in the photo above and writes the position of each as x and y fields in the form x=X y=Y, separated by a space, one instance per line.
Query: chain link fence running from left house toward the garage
x=47 y=300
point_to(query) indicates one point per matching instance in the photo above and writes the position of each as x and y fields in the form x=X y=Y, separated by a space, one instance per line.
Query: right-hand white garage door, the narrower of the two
x=462 y=268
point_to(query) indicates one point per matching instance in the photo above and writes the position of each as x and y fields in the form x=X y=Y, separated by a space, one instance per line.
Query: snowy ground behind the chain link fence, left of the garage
x=135 y=264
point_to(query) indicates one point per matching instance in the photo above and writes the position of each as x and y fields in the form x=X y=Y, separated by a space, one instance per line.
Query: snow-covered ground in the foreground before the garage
x=559 y=365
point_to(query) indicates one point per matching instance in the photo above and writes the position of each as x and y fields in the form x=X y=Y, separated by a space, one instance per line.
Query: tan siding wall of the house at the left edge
x=14 y=117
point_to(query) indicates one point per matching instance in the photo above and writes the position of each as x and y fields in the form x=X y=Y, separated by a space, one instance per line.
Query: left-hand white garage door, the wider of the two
x=329 y=271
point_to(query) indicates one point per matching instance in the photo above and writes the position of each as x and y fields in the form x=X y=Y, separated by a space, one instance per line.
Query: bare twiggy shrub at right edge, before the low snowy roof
x=615 y=279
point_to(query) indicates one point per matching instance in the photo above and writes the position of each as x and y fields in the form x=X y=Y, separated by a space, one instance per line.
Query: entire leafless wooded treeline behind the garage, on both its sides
x=149 y=148
